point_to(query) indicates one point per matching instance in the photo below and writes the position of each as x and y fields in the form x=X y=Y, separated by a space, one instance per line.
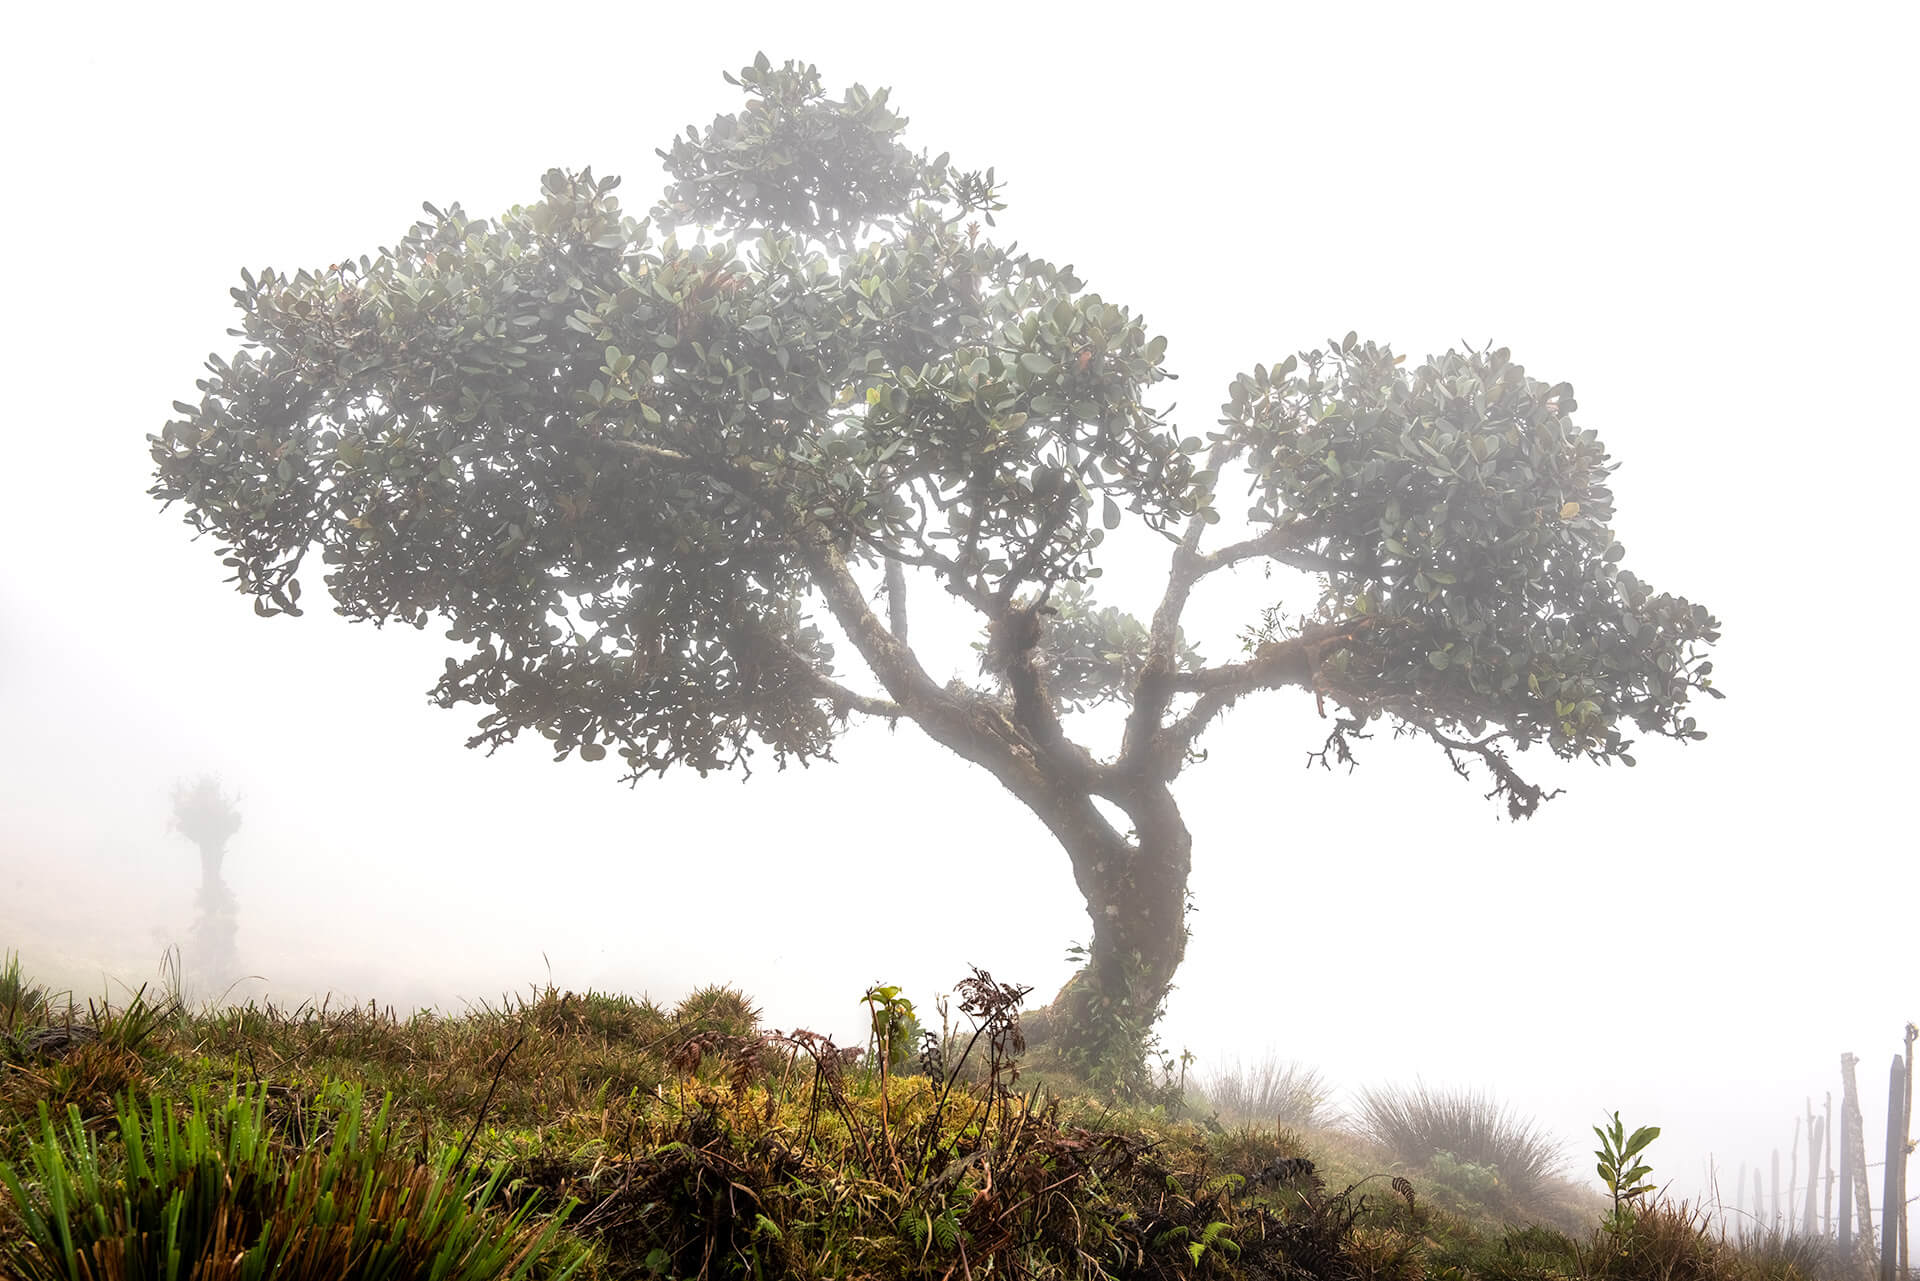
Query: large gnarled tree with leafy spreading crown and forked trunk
x=631 y=471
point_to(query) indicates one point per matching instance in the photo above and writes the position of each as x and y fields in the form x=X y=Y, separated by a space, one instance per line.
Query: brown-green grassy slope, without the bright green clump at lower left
x=698 y=1146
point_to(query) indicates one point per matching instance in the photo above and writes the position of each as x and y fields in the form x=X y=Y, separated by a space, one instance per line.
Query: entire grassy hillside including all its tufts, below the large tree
x=596 y=1136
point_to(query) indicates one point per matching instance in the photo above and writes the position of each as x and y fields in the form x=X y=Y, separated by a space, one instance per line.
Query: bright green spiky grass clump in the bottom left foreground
x=214 y=1196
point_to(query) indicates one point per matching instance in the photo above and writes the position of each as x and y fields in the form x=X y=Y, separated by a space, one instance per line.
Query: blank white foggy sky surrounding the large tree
x=1696 y=214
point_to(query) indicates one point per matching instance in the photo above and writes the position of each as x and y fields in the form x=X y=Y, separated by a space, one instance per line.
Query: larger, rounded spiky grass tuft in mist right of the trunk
x=1466 y=1130
